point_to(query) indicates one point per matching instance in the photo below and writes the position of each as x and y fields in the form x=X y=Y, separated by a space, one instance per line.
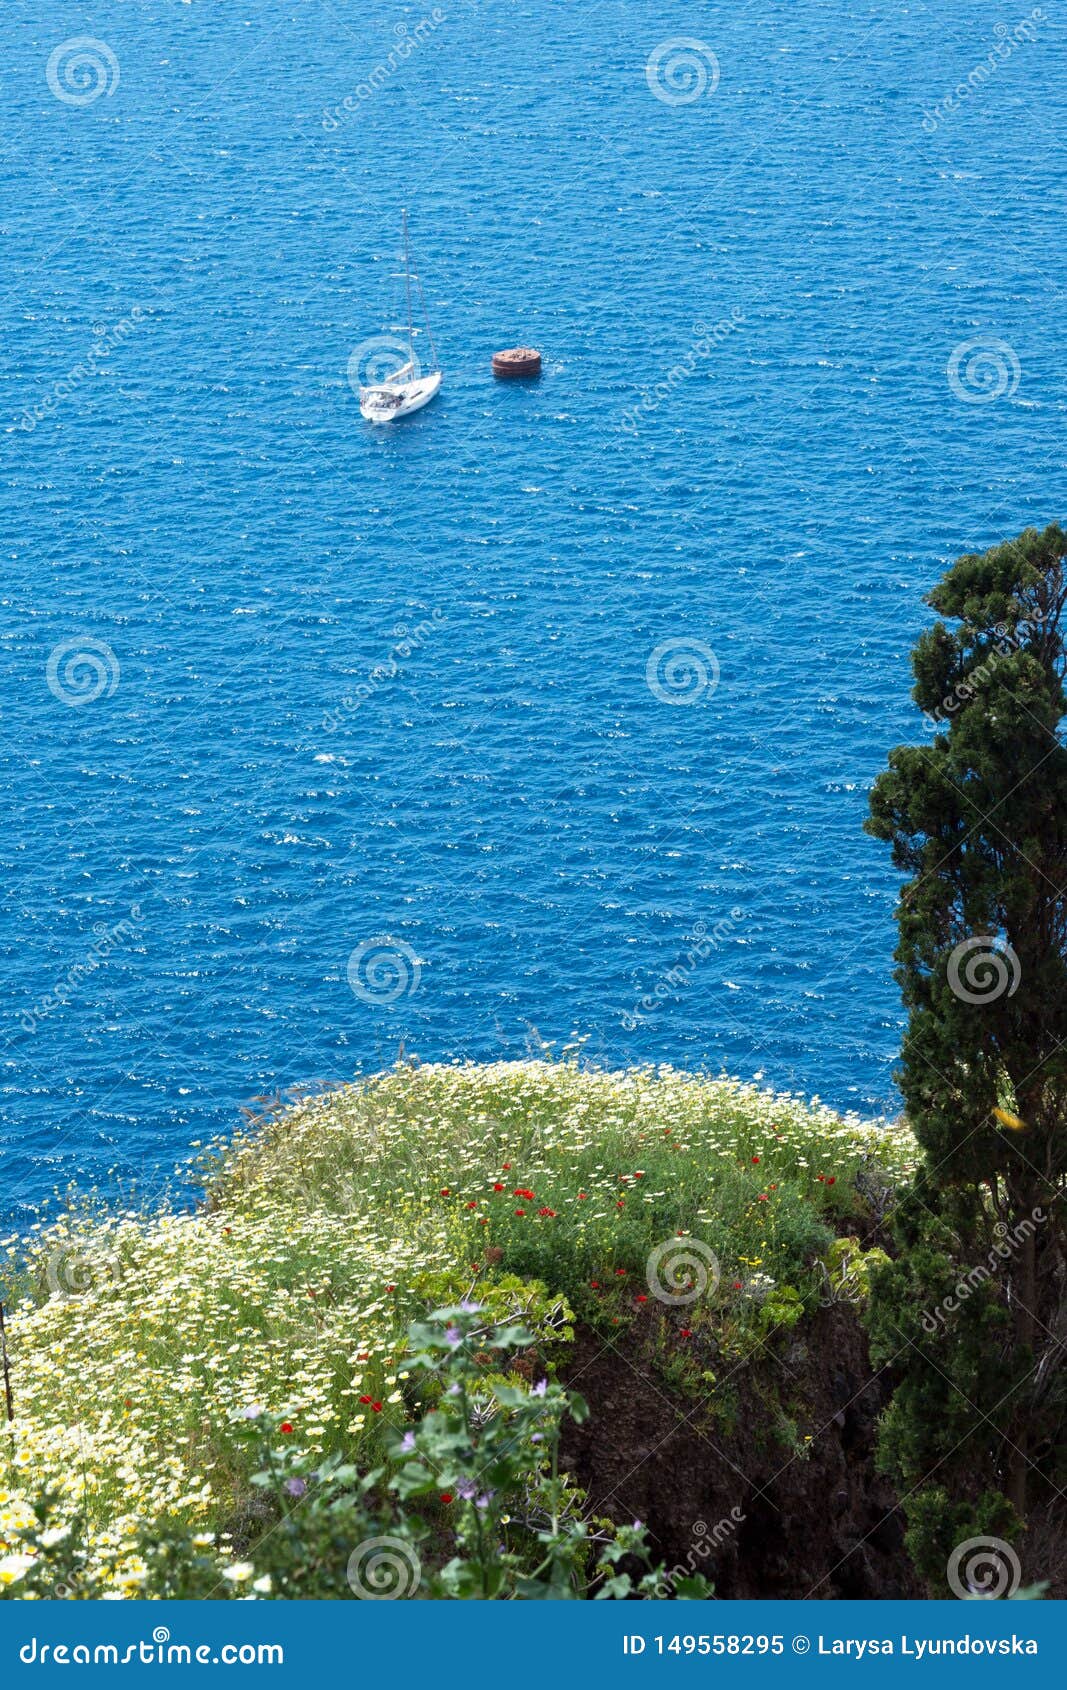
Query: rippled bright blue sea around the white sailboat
x=550 y=712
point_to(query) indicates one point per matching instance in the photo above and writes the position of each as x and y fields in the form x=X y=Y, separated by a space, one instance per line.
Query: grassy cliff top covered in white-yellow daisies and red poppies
x=140 y=1343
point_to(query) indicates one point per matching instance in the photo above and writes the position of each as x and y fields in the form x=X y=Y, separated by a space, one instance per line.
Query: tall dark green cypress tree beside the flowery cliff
x=973 y=1314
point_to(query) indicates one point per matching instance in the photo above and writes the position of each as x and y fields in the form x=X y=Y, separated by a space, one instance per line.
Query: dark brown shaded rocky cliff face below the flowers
x=767 y=1485
